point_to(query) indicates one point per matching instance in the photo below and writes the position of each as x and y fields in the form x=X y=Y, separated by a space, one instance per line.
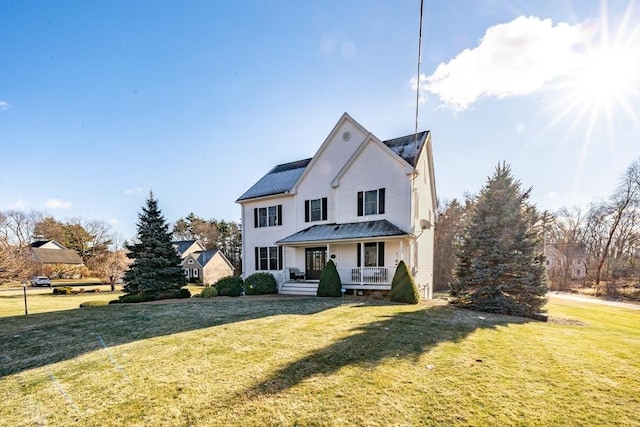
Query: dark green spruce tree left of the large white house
x=156 y=265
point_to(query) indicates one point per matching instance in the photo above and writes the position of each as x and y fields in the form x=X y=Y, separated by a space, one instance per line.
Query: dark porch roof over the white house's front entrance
x=353 y=230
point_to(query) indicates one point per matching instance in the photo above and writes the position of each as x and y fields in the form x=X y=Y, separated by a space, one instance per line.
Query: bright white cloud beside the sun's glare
x=516 y=58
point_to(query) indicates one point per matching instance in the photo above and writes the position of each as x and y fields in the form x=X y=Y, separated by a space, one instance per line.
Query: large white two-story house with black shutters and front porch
x=366 y=204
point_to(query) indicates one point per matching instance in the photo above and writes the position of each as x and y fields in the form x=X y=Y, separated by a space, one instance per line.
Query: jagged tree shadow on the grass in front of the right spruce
x=405 y=335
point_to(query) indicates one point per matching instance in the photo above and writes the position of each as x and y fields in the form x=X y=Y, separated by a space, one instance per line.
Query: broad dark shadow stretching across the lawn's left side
x=36 y=340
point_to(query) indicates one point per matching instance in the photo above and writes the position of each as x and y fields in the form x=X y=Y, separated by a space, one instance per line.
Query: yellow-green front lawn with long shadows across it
x=311 y=361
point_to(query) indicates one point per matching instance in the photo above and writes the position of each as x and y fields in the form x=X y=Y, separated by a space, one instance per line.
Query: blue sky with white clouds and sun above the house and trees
x=102 y=101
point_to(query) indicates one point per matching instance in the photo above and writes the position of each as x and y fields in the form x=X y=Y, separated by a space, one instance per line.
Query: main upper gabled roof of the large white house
x=284 y=177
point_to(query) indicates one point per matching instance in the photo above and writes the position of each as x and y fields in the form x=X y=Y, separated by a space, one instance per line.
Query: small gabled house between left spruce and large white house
x=201 y=265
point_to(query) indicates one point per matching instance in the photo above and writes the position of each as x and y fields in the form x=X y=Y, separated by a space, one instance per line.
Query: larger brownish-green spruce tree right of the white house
x=500 y=266
